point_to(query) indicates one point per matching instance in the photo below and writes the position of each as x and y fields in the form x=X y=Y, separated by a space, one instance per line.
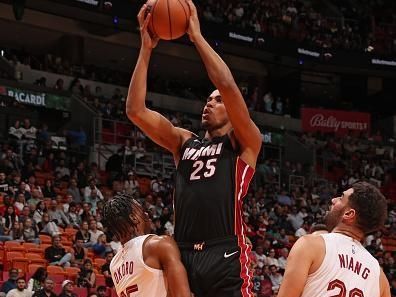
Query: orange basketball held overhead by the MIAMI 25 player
x=169 y=18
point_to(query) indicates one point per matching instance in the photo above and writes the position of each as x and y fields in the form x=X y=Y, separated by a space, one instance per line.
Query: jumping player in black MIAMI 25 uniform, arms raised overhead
x=213 y=173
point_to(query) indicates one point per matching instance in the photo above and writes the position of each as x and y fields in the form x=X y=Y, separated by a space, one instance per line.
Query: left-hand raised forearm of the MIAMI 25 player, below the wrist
x=136 y=100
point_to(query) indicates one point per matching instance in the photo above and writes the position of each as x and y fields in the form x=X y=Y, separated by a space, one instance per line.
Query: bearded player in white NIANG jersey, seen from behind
x=336 y=264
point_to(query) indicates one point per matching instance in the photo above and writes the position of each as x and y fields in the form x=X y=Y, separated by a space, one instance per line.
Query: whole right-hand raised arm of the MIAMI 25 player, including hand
x=246 y=132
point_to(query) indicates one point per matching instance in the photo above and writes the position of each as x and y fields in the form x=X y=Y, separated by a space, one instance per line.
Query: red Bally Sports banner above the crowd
x=334 y=121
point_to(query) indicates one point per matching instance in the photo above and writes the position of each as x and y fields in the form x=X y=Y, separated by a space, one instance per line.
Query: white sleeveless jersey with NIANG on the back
x=348 y=269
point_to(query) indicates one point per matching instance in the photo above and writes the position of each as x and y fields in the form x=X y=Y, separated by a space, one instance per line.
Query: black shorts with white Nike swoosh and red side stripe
x=218 y=268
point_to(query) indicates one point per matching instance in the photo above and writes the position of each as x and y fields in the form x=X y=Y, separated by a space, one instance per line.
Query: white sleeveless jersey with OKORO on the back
x=132 y=277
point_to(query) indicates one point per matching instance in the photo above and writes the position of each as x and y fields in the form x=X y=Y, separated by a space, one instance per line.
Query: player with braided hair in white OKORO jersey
x=147 y=265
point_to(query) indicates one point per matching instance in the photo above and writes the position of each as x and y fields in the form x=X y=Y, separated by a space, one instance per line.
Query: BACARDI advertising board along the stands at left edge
x=36 y=98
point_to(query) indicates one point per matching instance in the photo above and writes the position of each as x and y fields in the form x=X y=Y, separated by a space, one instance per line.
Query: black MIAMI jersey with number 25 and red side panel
x=211 y=181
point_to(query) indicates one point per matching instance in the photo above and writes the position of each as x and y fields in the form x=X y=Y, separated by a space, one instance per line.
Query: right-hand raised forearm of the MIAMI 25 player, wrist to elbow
x=217 y=69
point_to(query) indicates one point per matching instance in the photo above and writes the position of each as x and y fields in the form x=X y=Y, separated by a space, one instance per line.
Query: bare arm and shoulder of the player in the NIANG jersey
x=298 y=265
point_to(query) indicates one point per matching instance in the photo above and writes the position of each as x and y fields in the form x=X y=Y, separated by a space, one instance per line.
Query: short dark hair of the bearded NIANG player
x=370 y=206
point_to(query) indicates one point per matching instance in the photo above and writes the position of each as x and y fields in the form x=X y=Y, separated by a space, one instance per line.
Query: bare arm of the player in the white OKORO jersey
x=174 y=271
